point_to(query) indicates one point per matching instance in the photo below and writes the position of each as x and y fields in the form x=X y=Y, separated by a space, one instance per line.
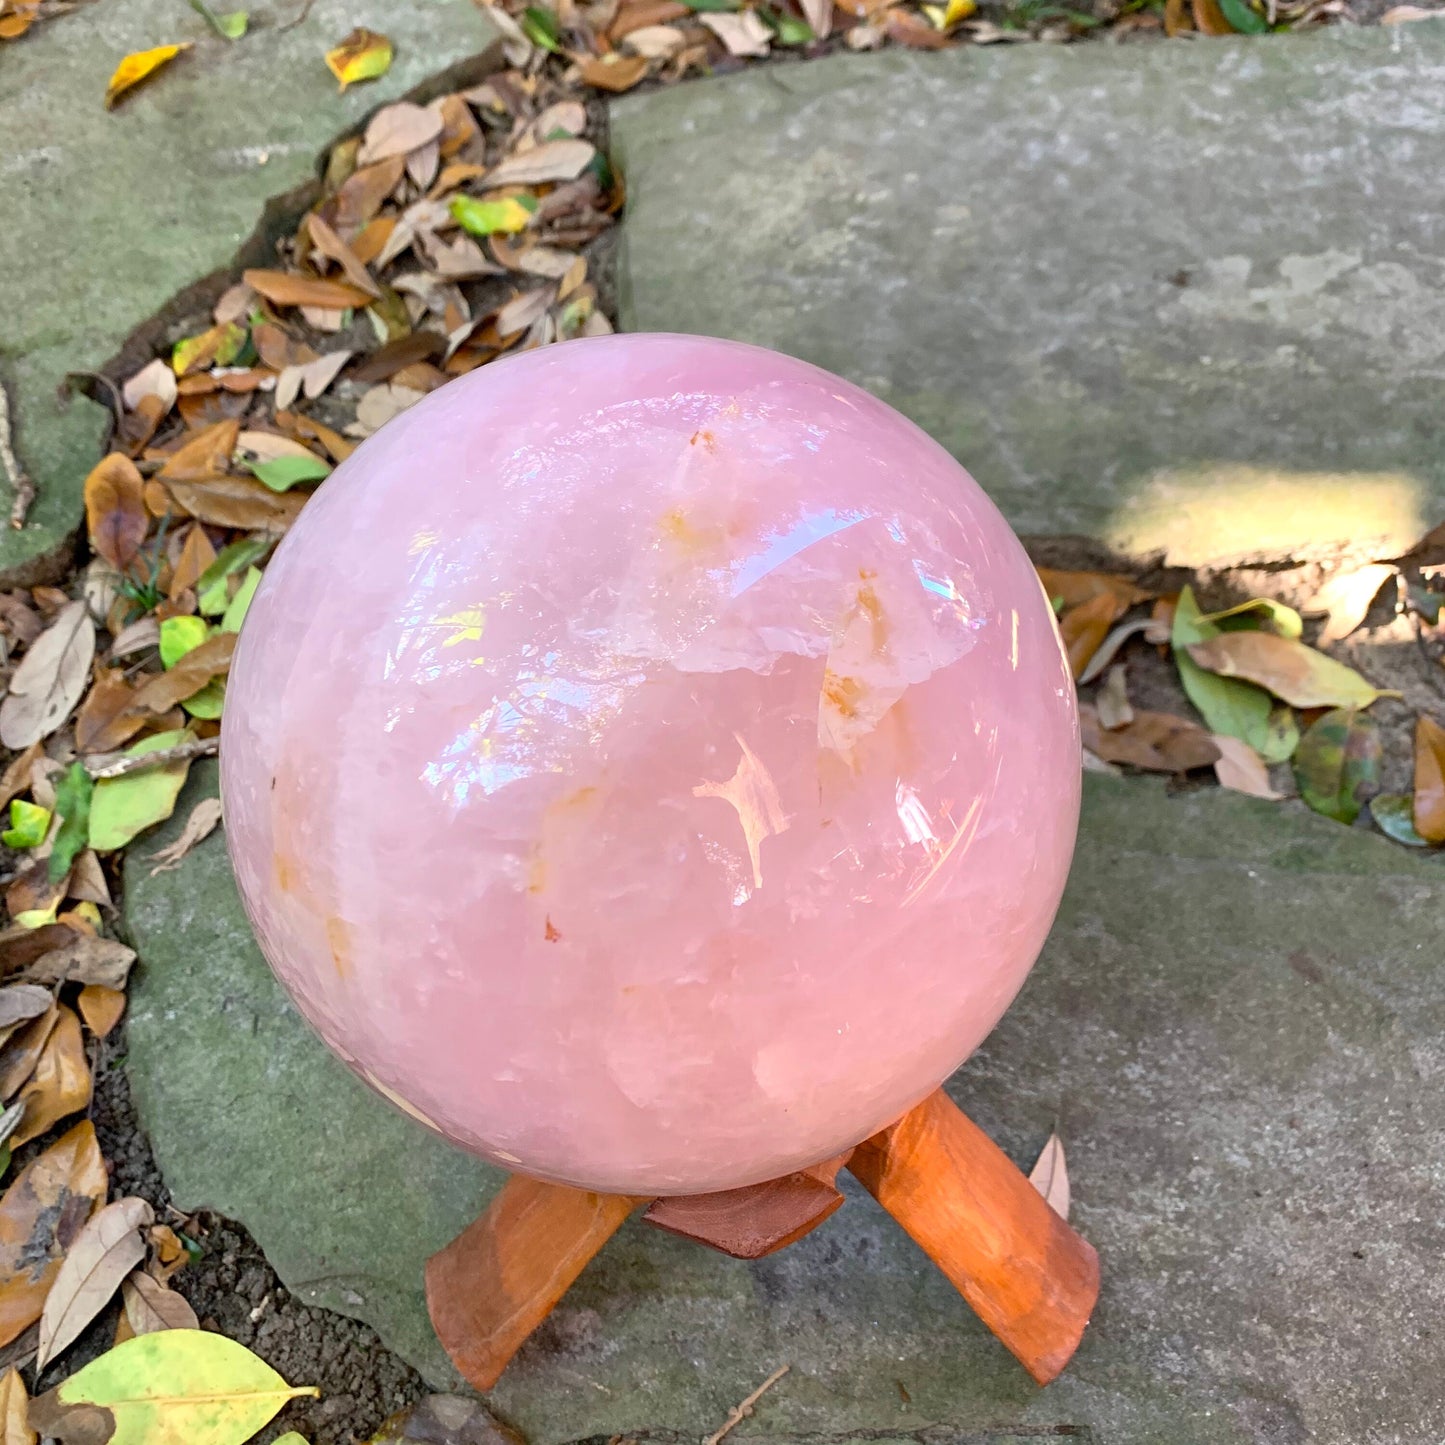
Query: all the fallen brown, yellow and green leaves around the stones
x=449 y=236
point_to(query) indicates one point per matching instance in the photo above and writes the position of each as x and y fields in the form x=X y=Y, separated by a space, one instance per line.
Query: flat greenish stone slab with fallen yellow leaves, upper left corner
x=109 y=215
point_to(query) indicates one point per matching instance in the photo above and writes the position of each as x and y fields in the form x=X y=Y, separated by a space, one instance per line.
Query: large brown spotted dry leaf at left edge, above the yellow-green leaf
x=41 y=1216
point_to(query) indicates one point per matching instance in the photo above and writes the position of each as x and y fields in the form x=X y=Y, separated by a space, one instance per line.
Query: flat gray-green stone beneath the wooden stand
x=1239 y=1028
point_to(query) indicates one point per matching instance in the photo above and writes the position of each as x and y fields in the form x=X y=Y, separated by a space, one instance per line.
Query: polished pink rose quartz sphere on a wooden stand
x=651 y=762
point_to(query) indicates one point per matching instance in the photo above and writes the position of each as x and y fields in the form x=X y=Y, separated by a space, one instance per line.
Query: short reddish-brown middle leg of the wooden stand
x=756 y=1220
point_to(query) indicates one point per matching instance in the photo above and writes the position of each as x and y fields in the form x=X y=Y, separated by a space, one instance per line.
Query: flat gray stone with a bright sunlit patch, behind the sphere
x=1183 y=298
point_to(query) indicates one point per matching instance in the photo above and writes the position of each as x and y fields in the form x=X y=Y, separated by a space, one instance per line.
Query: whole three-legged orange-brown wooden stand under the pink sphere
x=1025 y=1272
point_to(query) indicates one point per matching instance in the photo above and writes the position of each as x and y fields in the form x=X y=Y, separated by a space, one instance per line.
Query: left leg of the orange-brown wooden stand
x=502 y=1277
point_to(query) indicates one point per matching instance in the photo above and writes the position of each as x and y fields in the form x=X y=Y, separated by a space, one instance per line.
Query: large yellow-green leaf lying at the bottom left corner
x=171 y=1388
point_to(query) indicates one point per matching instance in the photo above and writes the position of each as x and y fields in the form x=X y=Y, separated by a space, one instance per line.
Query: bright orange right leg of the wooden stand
x=1028 y=1275
